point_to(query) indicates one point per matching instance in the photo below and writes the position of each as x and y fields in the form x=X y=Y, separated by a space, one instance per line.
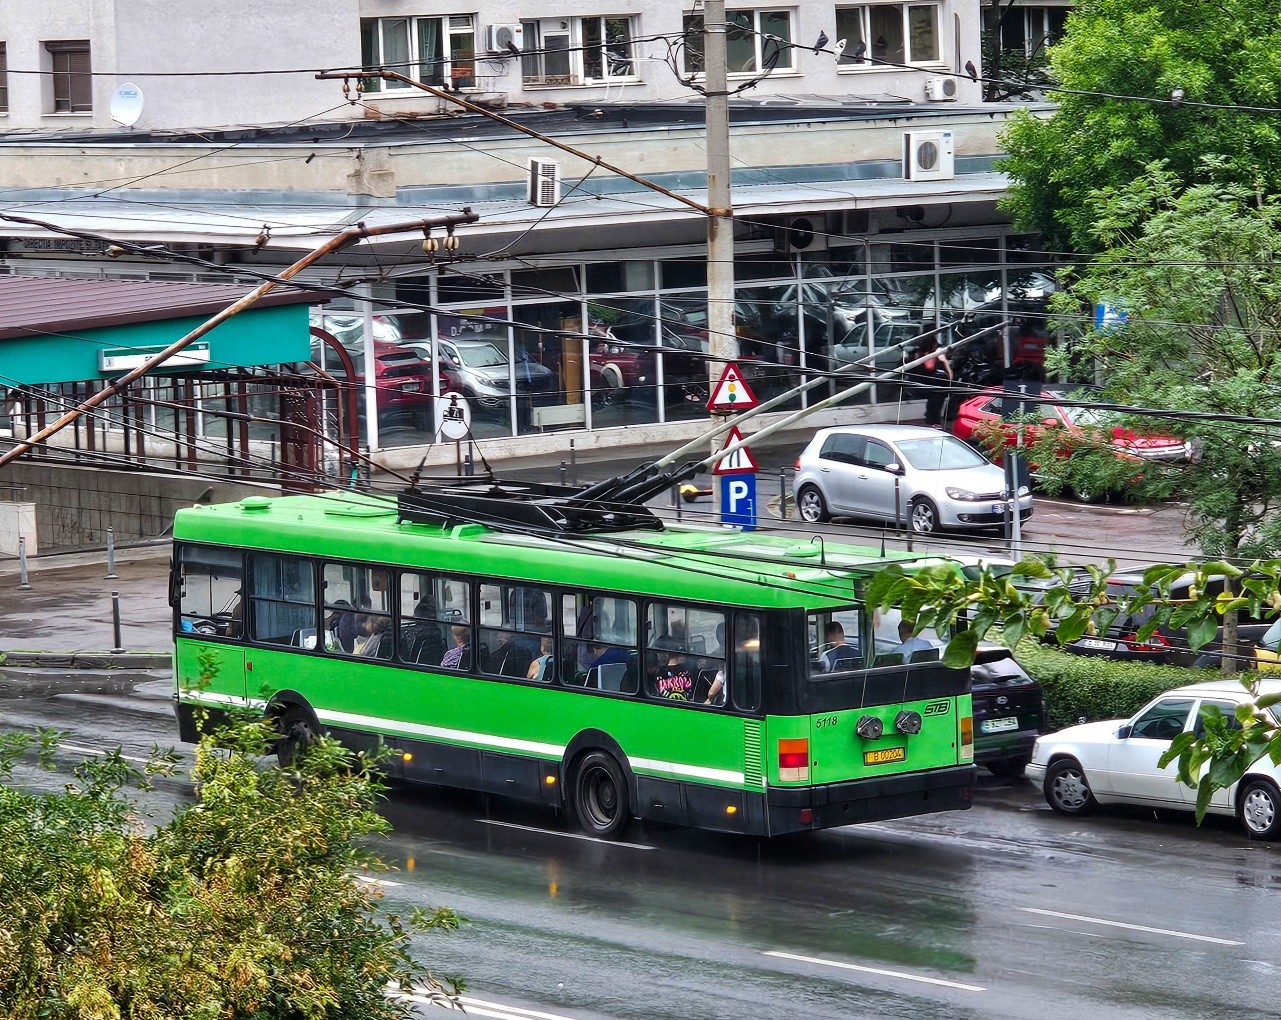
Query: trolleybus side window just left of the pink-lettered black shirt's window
x=604 y=653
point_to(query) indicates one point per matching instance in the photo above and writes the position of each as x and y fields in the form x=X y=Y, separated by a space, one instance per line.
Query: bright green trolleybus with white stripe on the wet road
x=539 y=646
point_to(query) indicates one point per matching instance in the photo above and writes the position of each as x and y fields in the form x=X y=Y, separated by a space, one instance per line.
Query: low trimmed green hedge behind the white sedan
x=1091 y=687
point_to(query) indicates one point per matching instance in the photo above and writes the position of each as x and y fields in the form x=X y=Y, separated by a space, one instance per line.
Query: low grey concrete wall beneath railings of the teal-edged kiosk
x=75 y=507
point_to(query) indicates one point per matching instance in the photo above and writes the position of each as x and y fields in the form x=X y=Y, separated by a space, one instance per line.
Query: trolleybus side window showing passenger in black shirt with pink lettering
x=686 y=652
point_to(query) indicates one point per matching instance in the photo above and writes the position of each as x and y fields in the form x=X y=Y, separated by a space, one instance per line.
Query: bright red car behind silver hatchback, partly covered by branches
x=982 y=418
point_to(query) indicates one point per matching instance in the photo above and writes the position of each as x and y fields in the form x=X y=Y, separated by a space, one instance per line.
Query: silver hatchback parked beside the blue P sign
x=902 y=473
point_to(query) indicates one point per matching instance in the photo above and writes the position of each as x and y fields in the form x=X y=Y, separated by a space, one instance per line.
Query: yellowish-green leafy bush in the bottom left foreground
x=245 y=905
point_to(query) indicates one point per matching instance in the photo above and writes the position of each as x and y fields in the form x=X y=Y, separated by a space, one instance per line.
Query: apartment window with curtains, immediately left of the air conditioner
x=440 y=52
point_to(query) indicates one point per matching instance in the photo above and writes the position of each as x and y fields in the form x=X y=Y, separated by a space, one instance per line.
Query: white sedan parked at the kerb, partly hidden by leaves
x=1115 y=762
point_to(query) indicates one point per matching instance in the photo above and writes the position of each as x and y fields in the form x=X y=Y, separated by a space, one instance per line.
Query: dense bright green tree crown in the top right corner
x=1223 y=56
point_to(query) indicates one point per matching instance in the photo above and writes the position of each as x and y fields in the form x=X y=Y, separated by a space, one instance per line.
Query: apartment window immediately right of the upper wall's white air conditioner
x=578 y=51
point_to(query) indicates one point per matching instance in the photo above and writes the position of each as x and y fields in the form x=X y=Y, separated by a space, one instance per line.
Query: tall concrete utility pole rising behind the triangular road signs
x=723 y=344
